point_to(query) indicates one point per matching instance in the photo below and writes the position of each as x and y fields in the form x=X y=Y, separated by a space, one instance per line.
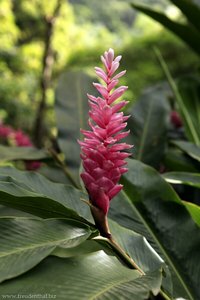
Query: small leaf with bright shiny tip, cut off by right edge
x=187 y=178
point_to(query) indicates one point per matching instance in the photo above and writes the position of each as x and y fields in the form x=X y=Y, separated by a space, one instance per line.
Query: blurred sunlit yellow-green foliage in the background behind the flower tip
x=80 y=31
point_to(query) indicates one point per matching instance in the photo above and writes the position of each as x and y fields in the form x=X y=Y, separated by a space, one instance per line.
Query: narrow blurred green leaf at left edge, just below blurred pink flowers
x=21 y=153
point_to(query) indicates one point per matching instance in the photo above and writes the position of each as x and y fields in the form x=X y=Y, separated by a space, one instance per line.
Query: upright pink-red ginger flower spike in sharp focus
x=102 y=154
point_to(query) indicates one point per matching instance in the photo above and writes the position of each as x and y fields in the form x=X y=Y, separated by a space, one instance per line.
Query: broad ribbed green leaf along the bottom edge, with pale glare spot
x=93 y=276
